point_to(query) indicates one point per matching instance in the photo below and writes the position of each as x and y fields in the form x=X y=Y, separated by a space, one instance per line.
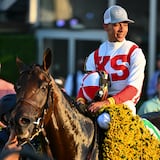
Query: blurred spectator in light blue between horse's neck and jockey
x=73 y=81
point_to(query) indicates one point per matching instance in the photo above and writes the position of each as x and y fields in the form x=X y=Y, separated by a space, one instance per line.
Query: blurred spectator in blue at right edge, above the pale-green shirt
x=151 y=89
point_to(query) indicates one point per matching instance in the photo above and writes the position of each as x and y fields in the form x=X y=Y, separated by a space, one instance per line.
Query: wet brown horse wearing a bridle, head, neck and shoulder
x=41 y=106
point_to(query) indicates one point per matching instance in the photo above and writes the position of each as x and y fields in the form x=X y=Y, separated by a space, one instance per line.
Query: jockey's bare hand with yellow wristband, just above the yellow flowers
x=96 y=106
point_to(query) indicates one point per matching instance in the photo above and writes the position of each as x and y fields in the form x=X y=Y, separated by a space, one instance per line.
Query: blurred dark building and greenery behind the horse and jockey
x=72 y=29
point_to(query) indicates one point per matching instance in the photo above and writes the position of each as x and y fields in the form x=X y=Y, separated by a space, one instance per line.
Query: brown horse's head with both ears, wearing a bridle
x=33 y=90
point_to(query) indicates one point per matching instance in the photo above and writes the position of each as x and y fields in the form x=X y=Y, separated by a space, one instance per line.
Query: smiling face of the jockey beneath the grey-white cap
x=117 y=31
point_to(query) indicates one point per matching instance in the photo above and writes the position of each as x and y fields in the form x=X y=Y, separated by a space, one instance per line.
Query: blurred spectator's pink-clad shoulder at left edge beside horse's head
x=5 y=87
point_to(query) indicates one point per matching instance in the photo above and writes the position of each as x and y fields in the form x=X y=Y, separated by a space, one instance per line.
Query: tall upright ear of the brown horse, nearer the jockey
x=47 y=59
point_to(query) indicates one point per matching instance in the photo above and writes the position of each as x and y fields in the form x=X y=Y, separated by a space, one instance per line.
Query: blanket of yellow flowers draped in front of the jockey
x=127 y=138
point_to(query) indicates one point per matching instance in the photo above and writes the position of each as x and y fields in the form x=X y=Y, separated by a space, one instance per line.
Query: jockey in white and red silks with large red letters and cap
x=121 y=58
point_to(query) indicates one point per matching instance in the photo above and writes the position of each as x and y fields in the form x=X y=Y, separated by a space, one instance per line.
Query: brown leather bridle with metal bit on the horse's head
x=40 y=121
